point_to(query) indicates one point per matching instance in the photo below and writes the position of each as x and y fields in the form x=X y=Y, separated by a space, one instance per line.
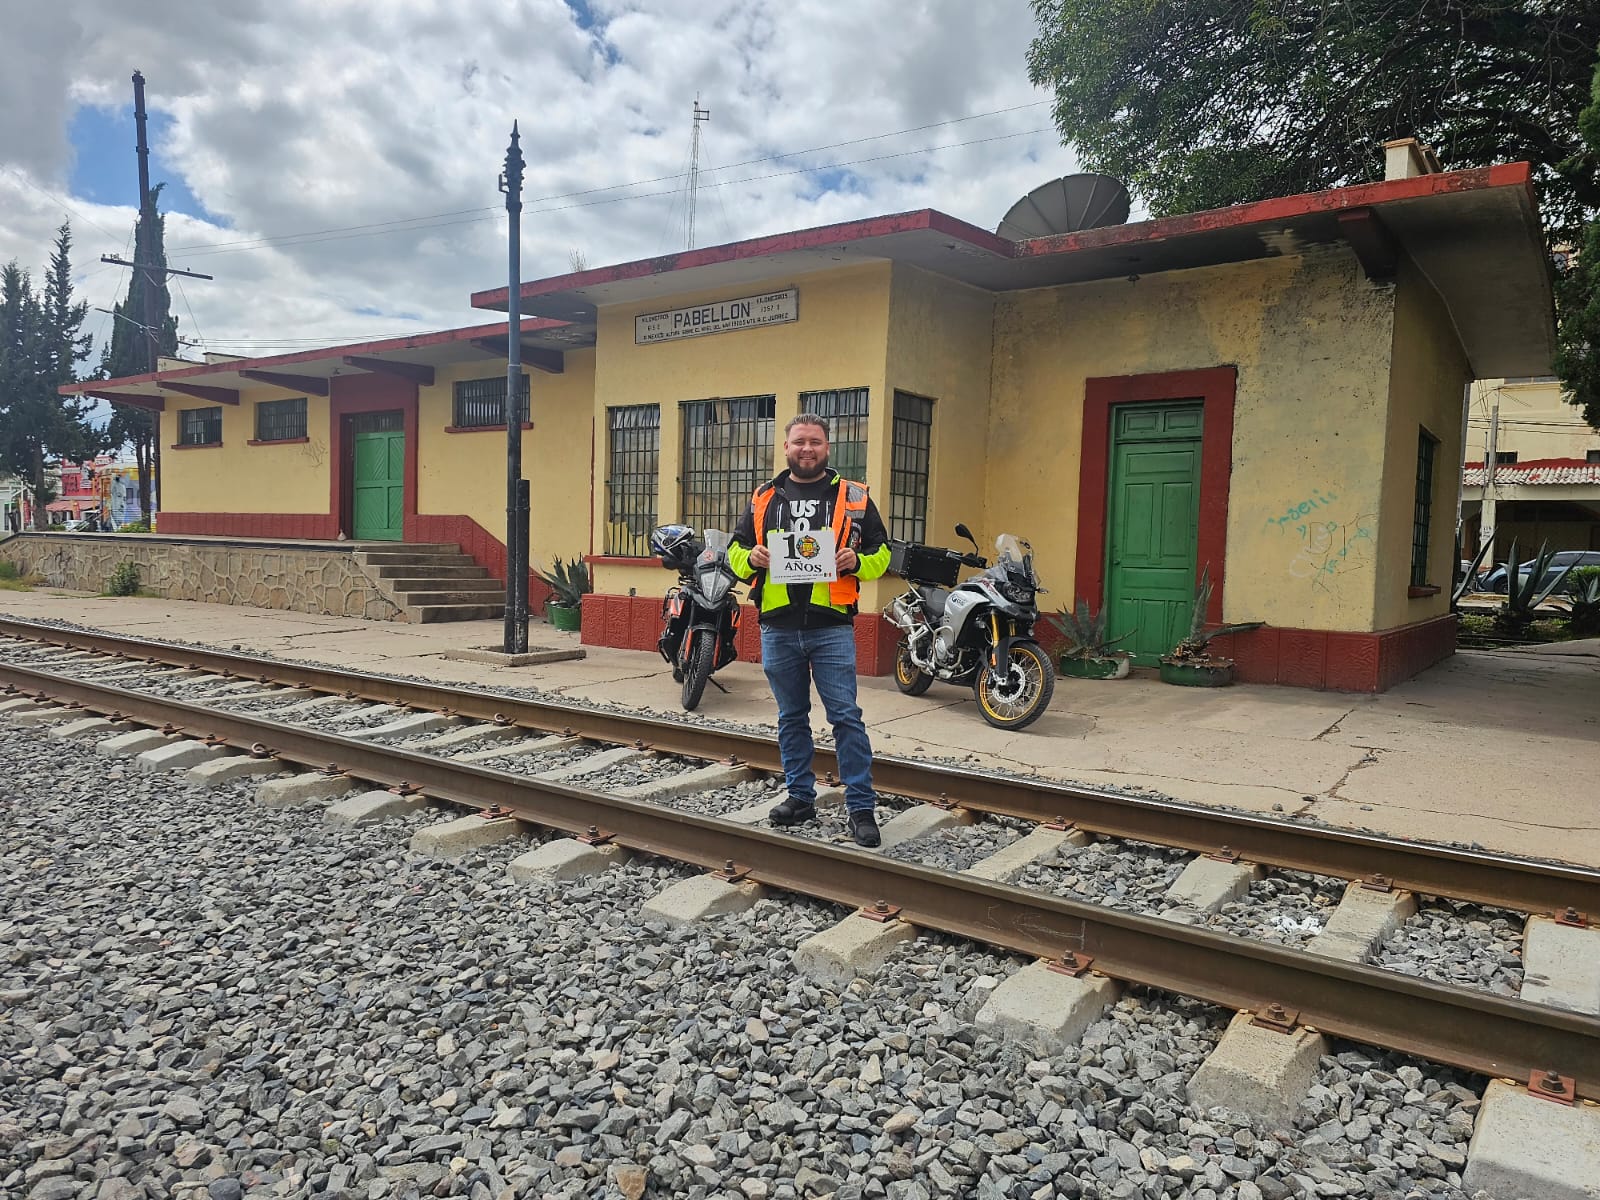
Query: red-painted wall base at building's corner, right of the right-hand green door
x=1334 y=662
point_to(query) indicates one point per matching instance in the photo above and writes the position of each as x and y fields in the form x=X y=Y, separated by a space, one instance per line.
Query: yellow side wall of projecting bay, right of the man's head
x=942 y=340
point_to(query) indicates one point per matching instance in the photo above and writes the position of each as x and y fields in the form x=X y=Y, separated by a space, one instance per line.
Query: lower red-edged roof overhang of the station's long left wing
x=311 y=372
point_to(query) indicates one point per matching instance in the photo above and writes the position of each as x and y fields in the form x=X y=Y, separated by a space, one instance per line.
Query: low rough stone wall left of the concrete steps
x=222 y=574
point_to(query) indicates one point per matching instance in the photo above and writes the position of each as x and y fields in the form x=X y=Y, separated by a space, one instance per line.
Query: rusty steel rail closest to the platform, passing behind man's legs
x=1502 y=881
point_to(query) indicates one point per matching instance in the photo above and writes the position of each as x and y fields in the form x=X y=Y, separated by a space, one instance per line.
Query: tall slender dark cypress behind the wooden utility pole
x=130 y=351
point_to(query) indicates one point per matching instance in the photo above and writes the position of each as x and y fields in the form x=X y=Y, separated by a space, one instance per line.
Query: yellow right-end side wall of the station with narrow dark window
x=1425 y=391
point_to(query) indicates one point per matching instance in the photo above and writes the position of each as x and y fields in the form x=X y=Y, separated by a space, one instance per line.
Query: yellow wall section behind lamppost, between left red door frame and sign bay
x=466 y=473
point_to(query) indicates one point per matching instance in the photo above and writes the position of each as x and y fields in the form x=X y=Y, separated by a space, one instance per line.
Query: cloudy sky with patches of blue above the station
x=334 y=164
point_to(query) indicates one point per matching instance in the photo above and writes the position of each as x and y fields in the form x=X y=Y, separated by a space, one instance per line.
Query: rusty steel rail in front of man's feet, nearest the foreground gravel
x=1474 y=1031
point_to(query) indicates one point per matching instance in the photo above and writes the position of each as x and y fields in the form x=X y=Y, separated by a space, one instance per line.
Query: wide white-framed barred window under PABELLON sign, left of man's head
x=727 y=455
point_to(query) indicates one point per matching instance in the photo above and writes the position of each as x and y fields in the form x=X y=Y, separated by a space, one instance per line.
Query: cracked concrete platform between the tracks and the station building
x=1482 y=748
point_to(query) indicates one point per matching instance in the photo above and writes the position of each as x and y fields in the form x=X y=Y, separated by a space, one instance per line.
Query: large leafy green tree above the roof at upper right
x=1210 y=103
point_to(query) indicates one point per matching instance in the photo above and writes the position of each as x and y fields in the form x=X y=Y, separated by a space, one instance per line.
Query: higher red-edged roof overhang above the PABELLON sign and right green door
x=1474 y=234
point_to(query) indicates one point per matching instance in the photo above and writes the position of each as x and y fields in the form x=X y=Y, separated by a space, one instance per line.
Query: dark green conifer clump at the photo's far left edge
x=41 y=345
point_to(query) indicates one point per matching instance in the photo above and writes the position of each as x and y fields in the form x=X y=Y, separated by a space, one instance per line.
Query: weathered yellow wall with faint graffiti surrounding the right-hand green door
x=1311 y=343
